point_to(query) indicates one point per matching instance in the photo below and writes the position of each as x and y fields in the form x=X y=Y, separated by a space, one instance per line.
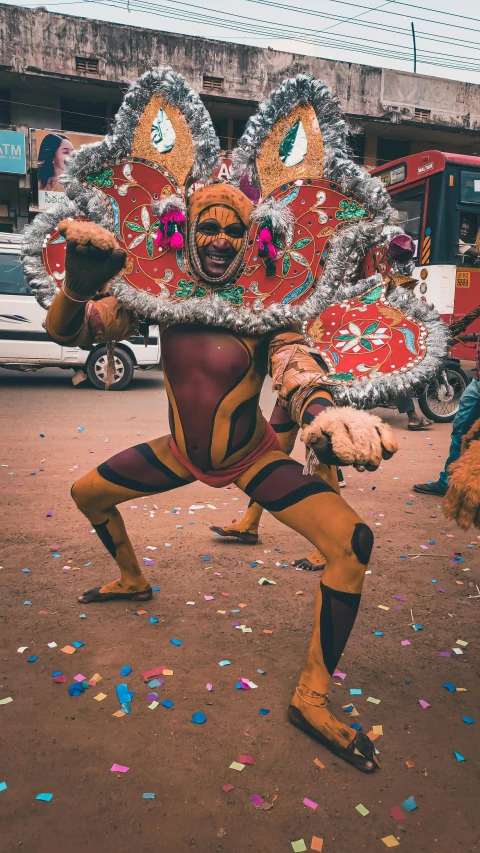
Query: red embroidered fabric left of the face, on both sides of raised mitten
x=130 y=188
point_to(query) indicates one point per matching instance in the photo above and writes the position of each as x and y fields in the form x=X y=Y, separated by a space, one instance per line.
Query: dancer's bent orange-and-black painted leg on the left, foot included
x=146 y=469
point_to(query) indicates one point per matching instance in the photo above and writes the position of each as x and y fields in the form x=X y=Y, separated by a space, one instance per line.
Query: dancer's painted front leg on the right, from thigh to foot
x=311 y=506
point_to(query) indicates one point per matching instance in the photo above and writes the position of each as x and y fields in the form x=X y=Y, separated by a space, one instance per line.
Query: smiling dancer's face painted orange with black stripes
x=218 y=239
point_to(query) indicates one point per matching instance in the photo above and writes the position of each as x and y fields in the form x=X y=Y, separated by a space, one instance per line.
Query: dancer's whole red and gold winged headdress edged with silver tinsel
x=317 y=237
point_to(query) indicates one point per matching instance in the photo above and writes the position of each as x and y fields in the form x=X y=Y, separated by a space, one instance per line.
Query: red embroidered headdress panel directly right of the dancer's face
x=321 y=210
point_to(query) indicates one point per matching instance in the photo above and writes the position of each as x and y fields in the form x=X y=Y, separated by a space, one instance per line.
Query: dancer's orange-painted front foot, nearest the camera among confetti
x=309 y=711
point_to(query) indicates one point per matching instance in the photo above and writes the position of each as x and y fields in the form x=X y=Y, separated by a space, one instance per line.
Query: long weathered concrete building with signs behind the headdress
x=68 y=74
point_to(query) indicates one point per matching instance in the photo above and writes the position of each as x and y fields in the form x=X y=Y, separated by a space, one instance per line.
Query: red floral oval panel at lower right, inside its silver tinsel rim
x=363 y=336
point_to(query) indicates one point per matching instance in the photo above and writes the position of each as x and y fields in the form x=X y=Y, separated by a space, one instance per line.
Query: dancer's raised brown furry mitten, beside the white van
x=93 y=257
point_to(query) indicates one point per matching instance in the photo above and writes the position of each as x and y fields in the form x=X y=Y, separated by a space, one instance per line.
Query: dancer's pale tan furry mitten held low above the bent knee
x=345 y=436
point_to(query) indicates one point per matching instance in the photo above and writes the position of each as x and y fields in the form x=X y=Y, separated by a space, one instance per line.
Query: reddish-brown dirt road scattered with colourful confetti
x=54 y=743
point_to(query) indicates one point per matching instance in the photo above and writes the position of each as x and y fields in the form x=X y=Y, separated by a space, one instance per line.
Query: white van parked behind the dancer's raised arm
x=25 y=345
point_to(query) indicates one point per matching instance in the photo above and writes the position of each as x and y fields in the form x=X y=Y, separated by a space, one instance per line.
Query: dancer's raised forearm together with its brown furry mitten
x=82 y=313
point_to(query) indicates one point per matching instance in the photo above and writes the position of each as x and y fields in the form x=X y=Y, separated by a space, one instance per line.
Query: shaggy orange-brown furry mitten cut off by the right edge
x=462 y=501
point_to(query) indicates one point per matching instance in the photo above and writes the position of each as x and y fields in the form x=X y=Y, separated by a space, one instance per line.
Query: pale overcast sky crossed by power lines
x=372 y=33
